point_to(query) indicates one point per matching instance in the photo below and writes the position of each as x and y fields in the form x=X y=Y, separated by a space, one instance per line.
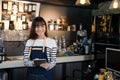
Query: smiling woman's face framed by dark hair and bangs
x=40 y=30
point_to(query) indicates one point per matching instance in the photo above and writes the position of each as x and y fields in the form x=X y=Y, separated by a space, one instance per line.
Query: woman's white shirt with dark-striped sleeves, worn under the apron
x=51 y=50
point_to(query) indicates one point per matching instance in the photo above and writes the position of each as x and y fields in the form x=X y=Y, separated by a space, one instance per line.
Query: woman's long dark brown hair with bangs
x=36 y=22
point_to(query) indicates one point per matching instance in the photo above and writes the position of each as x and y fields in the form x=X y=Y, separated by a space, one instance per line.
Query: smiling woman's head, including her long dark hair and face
x=39 y=28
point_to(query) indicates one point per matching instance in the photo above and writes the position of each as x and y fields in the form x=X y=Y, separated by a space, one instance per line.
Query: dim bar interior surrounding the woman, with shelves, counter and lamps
x=87 y=33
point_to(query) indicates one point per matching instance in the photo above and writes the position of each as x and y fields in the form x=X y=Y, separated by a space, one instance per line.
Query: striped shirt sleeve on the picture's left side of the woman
x=27 y=61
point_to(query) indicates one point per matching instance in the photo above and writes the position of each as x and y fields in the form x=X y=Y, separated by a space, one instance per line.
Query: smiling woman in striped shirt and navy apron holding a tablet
x=40 y=47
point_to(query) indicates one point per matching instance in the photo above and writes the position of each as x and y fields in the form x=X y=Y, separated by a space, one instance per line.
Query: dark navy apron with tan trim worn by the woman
x=39 y=73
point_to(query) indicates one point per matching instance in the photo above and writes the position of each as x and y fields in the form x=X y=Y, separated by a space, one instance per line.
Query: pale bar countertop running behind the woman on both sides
x=17 y=61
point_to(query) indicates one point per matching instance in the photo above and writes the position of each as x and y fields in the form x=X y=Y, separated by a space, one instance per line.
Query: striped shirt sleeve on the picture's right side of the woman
x=53 y=52
